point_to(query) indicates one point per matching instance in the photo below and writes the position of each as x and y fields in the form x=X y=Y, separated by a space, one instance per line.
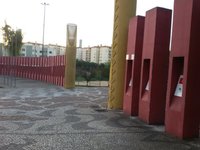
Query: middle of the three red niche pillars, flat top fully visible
x=154 y=72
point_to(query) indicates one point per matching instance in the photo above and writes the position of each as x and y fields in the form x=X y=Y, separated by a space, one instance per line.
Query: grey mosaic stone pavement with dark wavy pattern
x=39 y=116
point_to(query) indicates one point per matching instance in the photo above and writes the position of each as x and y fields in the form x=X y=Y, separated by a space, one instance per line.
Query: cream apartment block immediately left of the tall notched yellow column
x=104 y=54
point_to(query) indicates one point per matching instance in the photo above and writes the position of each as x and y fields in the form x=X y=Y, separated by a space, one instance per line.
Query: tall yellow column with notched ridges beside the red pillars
x=124 y=10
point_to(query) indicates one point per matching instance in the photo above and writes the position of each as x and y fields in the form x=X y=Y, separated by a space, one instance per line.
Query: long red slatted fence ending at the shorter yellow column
x=48 y=69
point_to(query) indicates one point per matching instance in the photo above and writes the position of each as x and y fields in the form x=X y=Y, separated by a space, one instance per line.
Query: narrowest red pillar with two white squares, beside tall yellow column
x=133 y=66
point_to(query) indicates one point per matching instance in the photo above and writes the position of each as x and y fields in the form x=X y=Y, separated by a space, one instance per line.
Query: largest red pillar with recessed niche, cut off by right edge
x=183 y=98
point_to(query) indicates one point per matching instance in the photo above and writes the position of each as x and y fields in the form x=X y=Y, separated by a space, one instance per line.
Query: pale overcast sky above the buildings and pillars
x=94 y=18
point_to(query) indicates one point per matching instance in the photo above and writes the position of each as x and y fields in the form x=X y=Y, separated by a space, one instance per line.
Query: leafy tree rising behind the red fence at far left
x=12 y=40
